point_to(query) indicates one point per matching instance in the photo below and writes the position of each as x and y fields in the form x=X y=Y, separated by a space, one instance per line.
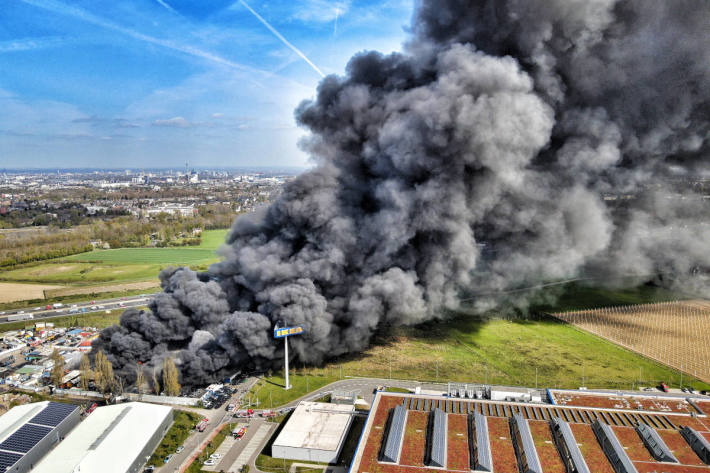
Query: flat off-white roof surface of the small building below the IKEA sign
x=316 y=425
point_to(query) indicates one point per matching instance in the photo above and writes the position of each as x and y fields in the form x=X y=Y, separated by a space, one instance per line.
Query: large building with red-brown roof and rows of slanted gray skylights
x=407 y=432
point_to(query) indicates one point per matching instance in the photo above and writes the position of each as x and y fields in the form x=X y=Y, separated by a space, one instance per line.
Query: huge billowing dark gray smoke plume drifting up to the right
x=513 y=142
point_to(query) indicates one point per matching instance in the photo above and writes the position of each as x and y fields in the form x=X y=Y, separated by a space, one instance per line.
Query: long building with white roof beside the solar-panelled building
x=112 y=439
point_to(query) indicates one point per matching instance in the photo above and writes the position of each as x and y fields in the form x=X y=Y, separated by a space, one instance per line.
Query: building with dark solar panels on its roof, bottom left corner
x=29 y=431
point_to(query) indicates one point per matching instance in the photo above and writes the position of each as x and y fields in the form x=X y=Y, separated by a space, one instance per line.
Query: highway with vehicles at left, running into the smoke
x=76 y=308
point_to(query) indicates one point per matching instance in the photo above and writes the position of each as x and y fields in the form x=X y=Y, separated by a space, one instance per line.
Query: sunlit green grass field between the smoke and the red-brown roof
x=475 y=349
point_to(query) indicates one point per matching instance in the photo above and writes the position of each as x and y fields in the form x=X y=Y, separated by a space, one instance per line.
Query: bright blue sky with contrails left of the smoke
x=156 y=83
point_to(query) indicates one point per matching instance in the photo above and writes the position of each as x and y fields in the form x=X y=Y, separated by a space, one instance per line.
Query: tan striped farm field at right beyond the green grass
x=652 y=330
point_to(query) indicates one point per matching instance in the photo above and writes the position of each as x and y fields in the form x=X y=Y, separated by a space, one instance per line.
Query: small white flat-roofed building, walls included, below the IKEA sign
x=315 y=431
